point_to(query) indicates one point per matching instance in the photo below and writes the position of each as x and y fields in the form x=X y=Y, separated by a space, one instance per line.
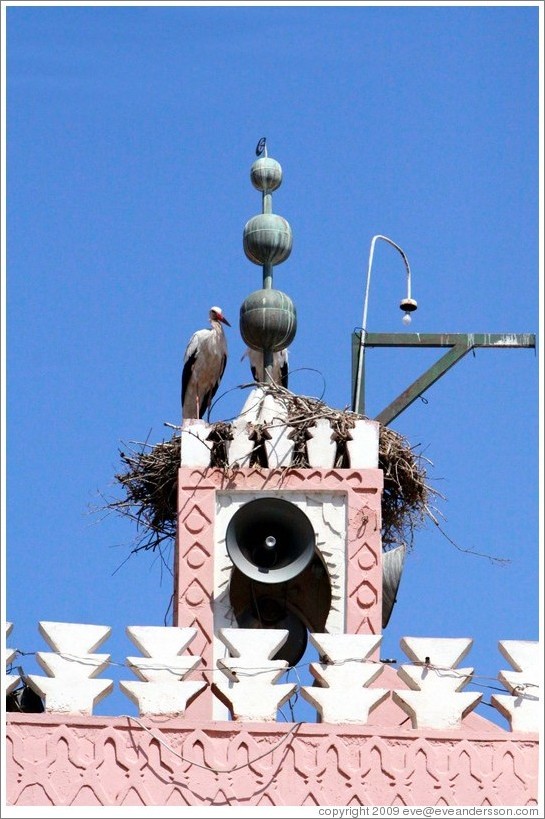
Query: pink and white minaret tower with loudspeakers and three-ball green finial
x=275 y=548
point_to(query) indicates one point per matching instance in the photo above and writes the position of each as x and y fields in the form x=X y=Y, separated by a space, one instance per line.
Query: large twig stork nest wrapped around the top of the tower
x=148 y=481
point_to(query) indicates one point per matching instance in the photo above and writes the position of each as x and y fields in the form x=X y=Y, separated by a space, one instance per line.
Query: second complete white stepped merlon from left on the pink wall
x=162 y=689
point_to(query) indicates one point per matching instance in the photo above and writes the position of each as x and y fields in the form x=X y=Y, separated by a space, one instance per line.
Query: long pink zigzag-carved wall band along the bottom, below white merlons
x=115 y=761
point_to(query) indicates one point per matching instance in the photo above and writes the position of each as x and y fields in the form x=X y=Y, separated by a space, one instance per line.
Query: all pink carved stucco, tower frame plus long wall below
x=58 y=760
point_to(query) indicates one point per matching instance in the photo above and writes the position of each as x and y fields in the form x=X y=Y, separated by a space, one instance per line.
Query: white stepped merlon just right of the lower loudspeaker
x=345 y=673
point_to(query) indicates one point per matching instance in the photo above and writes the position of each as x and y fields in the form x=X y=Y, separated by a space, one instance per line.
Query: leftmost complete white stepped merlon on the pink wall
x=69 y=688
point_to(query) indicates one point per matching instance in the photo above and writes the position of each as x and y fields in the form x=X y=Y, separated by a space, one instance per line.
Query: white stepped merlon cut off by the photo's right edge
x=522 y=707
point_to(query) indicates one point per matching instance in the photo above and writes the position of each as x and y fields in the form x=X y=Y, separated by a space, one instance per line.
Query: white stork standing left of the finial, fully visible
x=204 y=364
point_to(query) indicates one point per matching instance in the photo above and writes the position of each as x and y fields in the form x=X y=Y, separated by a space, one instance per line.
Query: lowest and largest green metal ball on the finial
x=268 y=320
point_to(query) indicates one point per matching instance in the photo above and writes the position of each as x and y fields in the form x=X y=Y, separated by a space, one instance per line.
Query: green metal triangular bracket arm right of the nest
x=460 y=344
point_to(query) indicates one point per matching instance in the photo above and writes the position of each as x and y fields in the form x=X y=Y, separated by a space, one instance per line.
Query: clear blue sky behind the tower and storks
x=130 y=134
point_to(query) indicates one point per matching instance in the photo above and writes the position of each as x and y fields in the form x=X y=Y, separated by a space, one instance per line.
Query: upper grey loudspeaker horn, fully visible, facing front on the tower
x=270 y=540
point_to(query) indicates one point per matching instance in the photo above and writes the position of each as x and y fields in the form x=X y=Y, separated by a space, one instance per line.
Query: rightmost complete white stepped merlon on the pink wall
x=435 y=701
